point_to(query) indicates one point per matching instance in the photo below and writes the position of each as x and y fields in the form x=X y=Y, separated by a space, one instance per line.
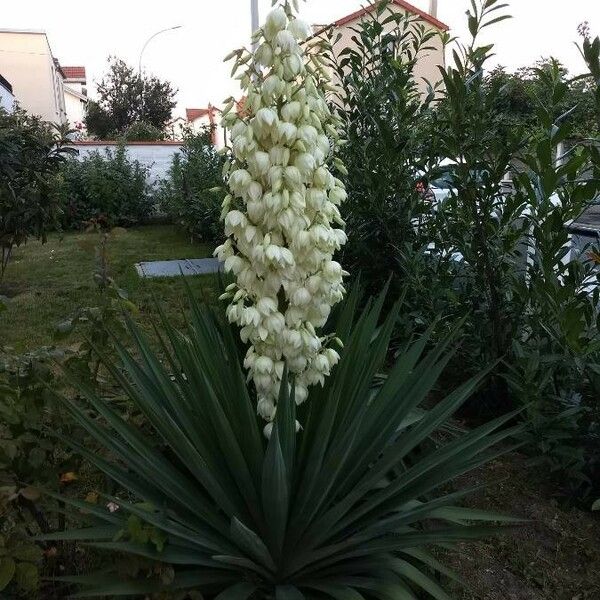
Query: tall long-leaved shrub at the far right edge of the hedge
x=558 y=325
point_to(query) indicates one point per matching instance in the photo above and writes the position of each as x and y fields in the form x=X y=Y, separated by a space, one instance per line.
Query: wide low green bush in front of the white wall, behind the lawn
x=109 y=188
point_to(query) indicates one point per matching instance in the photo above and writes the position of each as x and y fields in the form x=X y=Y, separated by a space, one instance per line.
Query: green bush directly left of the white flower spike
x=186 y=196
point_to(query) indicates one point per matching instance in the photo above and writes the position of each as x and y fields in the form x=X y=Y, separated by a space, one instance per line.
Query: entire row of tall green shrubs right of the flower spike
x=492 y=248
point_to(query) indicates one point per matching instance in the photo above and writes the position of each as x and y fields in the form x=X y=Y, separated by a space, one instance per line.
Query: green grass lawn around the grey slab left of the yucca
x=47 y=283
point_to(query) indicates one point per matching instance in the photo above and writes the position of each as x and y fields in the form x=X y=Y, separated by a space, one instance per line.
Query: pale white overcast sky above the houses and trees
x=86 y=33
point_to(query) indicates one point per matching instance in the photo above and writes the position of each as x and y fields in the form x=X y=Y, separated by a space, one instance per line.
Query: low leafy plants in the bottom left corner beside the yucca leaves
x=29 y=460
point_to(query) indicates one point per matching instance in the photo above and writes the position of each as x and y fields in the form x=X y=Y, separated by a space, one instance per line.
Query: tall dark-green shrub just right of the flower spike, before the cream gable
x=385 y=150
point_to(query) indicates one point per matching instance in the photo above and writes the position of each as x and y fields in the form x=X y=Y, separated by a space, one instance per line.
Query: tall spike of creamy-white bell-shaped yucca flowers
x=281 y=216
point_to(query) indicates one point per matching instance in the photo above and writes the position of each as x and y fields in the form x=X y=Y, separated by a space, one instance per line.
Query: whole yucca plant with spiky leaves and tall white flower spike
x=341 y=493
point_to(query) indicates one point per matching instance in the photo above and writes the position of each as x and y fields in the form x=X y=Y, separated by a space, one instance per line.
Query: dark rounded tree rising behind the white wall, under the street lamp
x=126 y=98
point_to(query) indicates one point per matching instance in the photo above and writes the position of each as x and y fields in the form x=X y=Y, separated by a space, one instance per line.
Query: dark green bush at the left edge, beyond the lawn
x=31 y=153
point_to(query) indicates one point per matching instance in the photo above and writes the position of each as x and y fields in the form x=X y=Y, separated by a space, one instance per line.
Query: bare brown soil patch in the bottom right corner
x=554 y=556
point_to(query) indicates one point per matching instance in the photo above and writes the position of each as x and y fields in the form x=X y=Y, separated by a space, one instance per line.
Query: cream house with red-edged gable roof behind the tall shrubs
x=426 y=70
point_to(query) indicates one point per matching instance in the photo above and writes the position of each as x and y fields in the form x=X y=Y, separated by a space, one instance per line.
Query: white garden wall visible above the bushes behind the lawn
x=157 y=156
